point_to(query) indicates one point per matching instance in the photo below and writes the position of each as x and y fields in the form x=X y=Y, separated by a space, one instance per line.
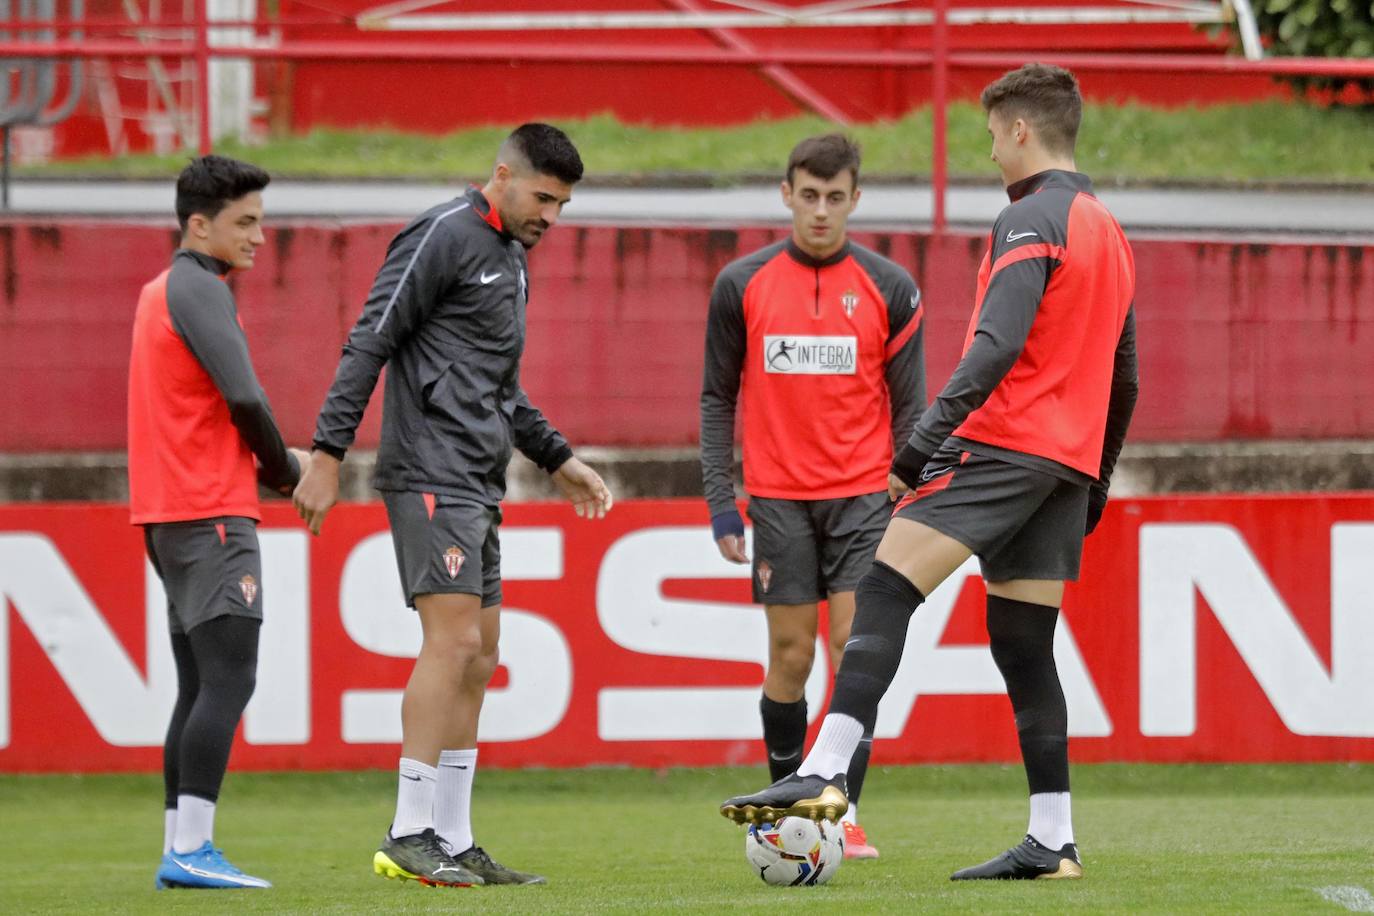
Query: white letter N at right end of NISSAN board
x=1180 y=562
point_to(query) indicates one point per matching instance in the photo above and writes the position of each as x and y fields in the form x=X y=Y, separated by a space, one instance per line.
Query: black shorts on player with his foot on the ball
x=1022 y=524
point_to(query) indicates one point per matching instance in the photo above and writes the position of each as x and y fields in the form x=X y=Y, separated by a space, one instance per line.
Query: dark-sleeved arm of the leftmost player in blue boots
x=205 y=319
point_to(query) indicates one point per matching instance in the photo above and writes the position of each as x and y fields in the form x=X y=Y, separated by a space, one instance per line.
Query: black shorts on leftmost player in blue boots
x=210 y=568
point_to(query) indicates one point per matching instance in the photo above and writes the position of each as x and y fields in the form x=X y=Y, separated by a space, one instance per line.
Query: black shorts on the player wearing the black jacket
x=446 y=546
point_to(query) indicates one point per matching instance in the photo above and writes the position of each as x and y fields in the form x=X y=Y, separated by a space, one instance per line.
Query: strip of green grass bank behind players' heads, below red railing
x=1263 y=142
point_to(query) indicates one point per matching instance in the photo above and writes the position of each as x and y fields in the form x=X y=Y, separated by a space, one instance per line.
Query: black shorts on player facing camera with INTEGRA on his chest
x=806 y=550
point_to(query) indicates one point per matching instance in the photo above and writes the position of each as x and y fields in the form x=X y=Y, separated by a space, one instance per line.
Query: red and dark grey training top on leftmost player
x=197 y=413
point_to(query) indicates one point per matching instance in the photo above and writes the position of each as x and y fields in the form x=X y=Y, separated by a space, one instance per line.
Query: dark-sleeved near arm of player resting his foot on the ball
x=1008 y=311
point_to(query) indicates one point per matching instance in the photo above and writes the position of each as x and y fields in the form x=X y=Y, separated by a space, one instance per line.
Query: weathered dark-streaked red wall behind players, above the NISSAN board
x=1237 y=341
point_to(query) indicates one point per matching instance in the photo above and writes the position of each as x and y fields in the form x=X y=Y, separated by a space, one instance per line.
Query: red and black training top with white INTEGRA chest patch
x=828 y=365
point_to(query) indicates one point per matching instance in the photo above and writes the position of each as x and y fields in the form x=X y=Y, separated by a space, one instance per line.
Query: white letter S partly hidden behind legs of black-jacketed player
x=534 y=650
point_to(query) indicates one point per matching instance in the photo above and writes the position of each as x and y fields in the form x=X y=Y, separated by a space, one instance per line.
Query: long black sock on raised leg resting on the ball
x=884 y=604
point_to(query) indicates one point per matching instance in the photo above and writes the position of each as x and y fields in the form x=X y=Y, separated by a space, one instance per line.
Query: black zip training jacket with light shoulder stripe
x=447 y=317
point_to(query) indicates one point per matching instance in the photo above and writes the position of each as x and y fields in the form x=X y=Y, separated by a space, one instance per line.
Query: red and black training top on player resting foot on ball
x=1049 y=370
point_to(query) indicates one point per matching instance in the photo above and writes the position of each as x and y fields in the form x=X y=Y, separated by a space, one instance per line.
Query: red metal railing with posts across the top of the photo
x=192 y=41
